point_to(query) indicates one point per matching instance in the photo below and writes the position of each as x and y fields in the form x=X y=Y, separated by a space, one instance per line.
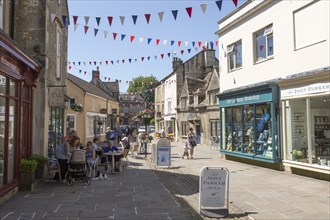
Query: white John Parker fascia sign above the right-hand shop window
x=305 y=90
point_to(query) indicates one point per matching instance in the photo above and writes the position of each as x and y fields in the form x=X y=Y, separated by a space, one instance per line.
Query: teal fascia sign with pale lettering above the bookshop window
x=249 y=99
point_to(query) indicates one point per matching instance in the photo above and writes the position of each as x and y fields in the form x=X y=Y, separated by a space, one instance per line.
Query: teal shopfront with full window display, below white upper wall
x=250 y=123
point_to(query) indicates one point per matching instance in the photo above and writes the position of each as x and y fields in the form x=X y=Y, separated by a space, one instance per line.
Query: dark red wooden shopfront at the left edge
x=18 y=73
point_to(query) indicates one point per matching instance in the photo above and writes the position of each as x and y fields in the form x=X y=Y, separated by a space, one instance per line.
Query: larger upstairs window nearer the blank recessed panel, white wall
x=264 y=43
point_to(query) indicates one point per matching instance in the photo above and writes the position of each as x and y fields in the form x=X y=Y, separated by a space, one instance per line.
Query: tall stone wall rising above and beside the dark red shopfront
x=38 y=35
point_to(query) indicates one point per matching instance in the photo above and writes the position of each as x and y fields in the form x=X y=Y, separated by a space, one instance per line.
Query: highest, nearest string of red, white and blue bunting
x=135 y=17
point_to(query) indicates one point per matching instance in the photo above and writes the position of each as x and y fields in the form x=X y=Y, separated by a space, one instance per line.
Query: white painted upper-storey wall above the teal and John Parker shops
x=300 y=36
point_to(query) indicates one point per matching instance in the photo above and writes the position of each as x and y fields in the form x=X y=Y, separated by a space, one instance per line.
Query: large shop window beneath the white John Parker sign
x=297 y=136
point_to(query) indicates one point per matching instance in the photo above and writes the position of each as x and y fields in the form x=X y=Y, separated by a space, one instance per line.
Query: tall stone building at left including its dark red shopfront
x=40 y=107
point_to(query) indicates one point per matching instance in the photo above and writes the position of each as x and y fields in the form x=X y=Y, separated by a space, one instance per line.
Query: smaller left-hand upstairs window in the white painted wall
x=234 y=52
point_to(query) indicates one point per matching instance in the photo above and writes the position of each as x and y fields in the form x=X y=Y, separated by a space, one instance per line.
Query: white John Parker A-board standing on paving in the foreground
x=213 y=191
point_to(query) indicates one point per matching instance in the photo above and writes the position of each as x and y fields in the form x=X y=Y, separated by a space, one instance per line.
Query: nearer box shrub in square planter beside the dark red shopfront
x=27 y=177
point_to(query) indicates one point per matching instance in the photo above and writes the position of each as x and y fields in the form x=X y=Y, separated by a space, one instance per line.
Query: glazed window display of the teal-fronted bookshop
x=248 y=129
